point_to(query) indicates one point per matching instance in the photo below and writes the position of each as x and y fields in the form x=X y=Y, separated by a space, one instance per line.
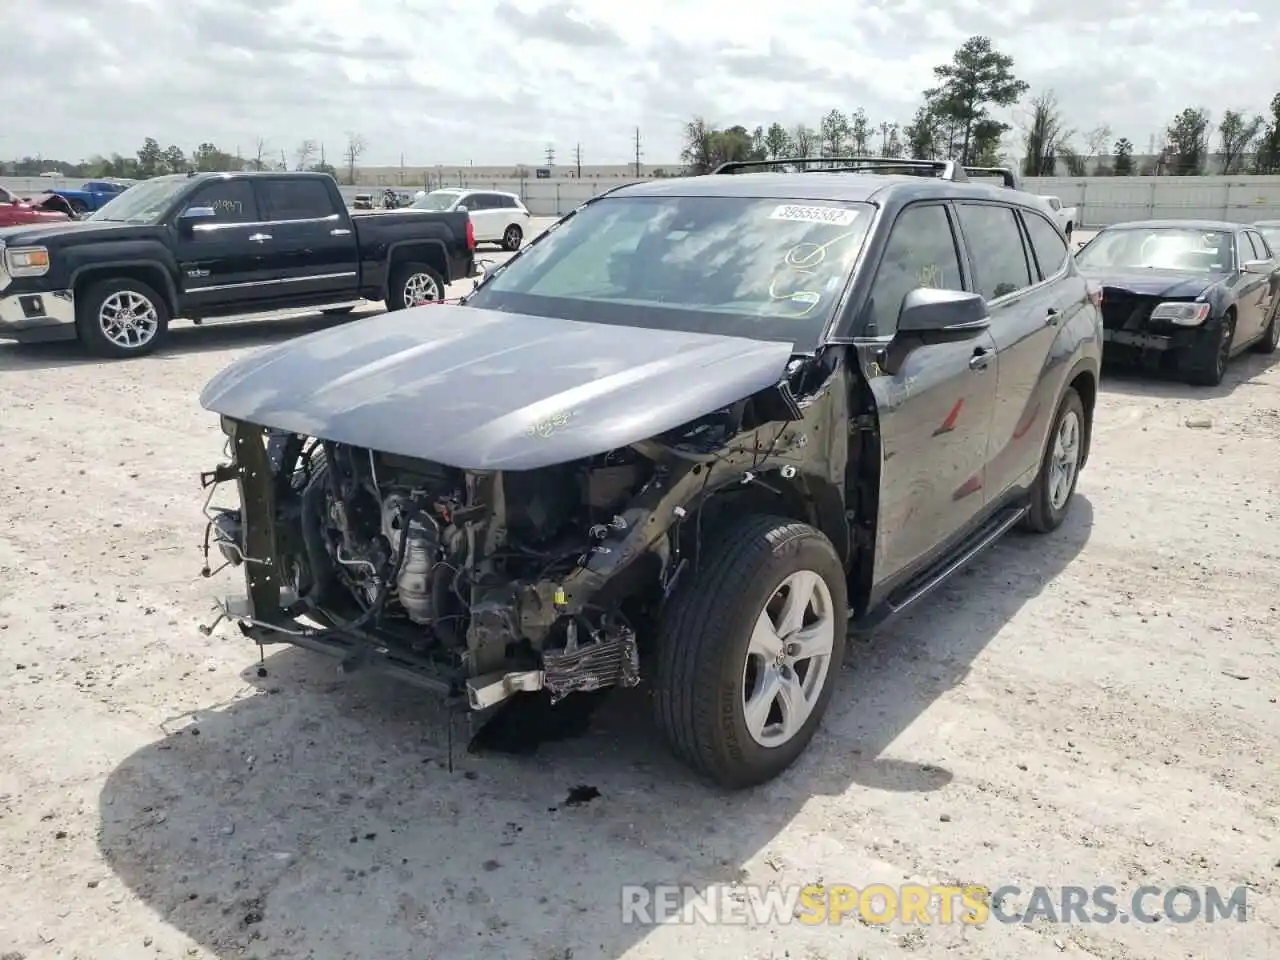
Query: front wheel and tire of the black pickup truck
x=147 y=319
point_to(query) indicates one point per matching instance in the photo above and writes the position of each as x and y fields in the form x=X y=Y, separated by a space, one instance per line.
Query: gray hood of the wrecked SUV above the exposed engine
x=484 y=390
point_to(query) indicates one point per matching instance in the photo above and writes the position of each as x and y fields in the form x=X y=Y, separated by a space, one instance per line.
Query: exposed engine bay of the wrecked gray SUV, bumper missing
x=493 y=582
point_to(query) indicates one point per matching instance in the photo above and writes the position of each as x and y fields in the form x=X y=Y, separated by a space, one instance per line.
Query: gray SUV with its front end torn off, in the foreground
x=688 y=437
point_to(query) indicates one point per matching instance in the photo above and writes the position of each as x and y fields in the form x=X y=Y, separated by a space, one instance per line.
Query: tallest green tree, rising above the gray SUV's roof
x=979 y=77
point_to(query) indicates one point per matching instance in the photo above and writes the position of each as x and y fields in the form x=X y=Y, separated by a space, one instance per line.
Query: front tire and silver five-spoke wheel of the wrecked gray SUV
x=705 y=650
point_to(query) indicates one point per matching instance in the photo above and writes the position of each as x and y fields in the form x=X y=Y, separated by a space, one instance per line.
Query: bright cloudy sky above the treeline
x=495 y=81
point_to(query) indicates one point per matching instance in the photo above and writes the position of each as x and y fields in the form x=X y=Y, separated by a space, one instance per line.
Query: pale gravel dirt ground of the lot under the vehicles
x=1098 y=707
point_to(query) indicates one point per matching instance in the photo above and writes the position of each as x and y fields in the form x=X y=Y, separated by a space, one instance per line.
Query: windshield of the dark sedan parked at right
x=1160 y=249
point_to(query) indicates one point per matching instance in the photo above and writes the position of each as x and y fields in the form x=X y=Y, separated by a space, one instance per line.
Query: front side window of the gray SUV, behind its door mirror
x=921 y=253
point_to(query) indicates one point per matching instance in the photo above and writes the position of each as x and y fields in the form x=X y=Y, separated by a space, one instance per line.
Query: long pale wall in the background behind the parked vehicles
x=1103 y=200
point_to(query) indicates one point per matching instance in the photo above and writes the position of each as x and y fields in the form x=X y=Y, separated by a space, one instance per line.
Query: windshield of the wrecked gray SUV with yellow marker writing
x=767 y=269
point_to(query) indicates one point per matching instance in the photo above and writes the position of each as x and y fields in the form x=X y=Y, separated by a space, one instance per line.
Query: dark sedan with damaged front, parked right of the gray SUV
x=1188 y=294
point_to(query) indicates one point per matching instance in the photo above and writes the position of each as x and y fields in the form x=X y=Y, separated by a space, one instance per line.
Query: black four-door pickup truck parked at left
x=216 y=245
